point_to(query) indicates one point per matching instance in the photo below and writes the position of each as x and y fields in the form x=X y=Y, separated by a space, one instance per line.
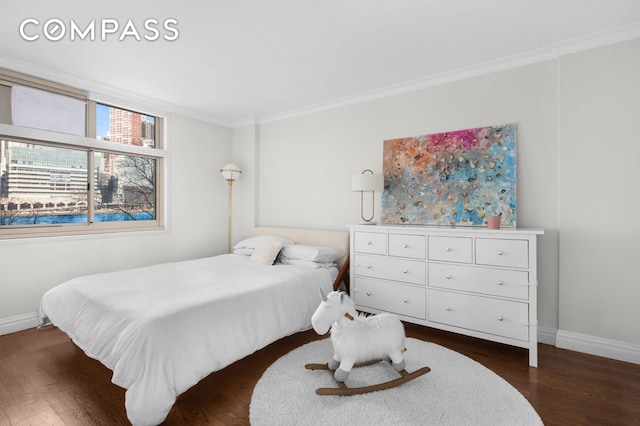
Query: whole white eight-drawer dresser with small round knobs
x=475 y=281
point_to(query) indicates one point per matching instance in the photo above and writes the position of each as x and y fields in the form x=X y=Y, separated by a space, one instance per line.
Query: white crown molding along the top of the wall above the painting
x=551 y=52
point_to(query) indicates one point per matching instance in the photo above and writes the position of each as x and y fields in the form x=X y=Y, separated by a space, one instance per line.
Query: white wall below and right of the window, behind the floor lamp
x=197 y=228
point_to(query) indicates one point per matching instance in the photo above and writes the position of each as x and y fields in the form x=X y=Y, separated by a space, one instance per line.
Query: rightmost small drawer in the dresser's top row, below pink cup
x=498 y=252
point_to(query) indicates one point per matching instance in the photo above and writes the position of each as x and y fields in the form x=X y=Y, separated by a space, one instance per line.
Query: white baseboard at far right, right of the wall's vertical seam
x=599 y=346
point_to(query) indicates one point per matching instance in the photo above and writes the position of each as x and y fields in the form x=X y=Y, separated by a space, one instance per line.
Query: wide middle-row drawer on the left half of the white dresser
x=409 y=271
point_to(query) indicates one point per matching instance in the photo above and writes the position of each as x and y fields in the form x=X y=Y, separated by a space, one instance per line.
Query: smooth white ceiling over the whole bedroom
x=235 y=60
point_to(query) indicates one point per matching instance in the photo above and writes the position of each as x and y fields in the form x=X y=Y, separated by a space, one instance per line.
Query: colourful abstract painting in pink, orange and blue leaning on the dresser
x=451 y=178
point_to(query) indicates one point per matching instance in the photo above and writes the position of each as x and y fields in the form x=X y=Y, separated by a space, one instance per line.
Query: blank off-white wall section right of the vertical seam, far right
x=599 y=195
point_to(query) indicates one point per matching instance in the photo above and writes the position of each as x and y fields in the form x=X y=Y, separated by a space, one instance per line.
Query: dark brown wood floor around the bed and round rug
x=46 y=380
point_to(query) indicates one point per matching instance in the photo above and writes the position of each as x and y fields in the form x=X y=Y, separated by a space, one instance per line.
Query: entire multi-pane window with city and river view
x=70 y=165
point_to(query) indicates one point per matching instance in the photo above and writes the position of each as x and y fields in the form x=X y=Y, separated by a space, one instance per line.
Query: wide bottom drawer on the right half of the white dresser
x=498 y=317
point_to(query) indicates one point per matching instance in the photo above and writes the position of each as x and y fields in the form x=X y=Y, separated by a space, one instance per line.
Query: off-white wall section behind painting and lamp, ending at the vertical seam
x=305 y=163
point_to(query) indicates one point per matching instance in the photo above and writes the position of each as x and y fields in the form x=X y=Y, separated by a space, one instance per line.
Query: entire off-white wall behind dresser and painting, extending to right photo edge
x=578 y=150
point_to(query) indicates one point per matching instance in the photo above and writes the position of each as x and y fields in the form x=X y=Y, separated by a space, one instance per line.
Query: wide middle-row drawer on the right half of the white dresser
x=496 y=282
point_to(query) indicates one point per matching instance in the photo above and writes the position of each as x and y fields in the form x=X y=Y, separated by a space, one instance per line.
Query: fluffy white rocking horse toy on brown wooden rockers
x=359 y=341
